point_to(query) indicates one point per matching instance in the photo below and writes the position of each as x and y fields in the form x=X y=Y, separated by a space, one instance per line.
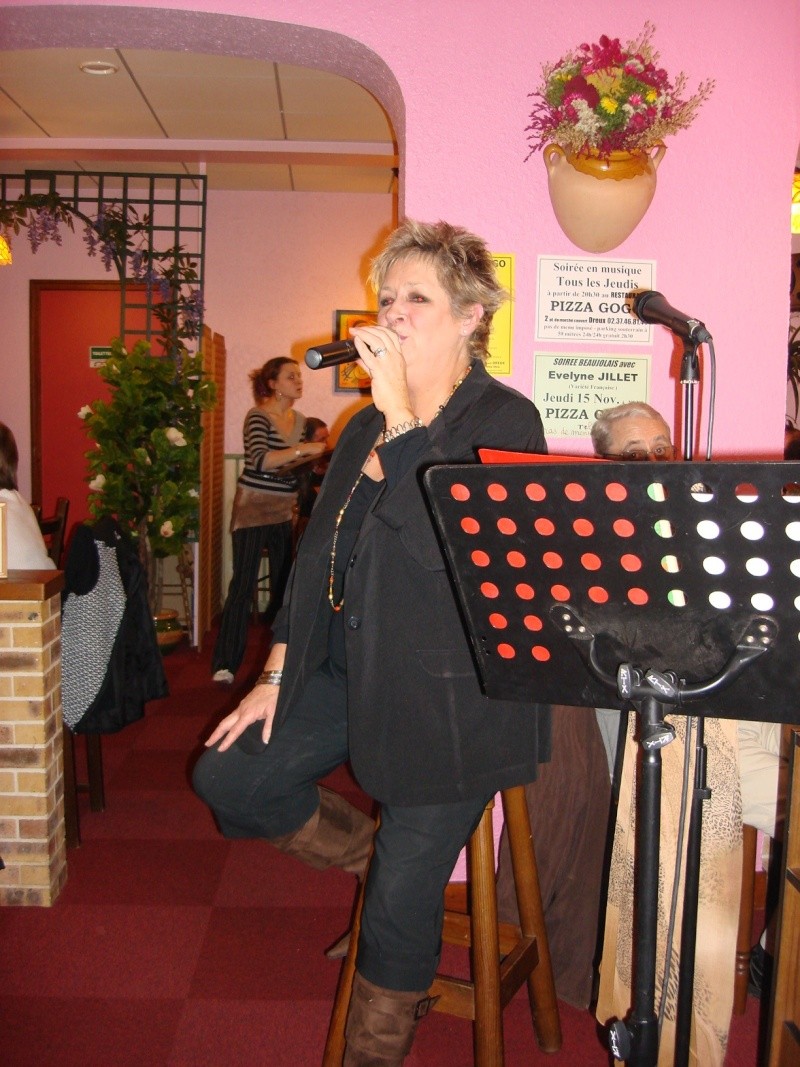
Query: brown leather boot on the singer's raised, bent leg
x=338 y=835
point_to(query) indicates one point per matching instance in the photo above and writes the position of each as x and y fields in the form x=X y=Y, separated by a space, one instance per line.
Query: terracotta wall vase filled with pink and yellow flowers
x=600 y=119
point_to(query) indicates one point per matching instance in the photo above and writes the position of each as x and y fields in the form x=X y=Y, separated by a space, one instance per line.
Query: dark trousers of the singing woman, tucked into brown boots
x=267 y=791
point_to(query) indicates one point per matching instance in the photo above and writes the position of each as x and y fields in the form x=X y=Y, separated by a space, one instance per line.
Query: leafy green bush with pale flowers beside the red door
x=145 y=470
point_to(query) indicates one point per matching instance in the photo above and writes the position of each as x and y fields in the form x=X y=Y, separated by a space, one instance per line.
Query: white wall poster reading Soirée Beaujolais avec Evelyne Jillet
x=570 y=389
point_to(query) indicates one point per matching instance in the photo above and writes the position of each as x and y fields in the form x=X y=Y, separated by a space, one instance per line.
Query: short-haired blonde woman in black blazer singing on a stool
x=371 y=661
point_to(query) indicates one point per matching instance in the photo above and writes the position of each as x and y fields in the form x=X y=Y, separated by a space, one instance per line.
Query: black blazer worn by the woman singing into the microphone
x=421 y=729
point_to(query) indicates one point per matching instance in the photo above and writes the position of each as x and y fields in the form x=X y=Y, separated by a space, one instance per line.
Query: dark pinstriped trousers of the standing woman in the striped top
x=249 y=545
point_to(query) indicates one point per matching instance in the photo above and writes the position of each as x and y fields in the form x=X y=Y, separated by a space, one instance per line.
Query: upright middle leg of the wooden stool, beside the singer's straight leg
x=488 y=1029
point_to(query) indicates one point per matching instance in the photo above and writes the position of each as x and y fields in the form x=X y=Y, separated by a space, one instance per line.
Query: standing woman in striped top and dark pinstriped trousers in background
x=266 y=497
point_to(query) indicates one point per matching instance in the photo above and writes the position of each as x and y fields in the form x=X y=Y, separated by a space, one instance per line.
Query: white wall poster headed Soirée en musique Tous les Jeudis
x=589 y=300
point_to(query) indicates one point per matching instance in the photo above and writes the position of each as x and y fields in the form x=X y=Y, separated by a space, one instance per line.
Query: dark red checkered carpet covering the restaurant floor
x=173 y=947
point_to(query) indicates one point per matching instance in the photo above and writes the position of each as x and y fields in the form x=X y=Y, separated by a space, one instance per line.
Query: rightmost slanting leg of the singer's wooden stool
x=541 y=986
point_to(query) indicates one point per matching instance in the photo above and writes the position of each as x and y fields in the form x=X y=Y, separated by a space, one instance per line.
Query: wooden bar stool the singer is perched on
x=503 y=957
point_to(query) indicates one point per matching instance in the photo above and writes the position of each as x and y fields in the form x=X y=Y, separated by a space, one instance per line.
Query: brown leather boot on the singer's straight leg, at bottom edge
x=381 y=1025
